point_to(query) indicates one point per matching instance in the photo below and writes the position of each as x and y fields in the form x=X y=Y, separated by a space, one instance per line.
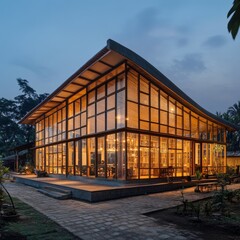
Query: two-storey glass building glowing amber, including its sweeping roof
x=118 y=117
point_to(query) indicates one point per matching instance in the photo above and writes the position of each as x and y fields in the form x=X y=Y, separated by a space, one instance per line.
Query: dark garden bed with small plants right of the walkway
x=208 y=219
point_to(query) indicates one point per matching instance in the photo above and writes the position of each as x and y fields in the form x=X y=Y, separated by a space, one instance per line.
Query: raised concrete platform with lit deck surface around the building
x=96 y=192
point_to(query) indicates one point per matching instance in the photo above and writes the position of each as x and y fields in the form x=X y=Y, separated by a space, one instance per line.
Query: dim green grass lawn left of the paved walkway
x=32 y=225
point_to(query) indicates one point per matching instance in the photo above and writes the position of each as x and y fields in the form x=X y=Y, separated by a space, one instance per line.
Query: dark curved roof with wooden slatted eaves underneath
x=103 y=62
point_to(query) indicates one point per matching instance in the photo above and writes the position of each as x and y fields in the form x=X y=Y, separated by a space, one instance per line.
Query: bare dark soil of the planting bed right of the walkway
x=208 y=227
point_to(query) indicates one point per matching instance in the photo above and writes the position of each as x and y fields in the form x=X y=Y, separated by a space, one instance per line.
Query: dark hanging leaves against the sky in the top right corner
x=234 y=22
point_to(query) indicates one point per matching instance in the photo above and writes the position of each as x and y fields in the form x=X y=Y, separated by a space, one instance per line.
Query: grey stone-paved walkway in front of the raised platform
x=116 y=219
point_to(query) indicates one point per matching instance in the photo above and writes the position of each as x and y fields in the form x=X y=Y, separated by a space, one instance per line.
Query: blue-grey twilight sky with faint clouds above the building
x=46 y=41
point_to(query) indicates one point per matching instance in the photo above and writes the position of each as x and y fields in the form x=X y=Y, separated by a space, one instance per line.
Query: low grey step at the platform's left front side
x=54 y=192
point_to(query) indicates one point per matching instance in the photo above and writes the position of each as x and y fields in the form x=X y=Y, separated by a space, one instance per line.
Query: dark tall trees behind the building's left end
x=13 y=134
